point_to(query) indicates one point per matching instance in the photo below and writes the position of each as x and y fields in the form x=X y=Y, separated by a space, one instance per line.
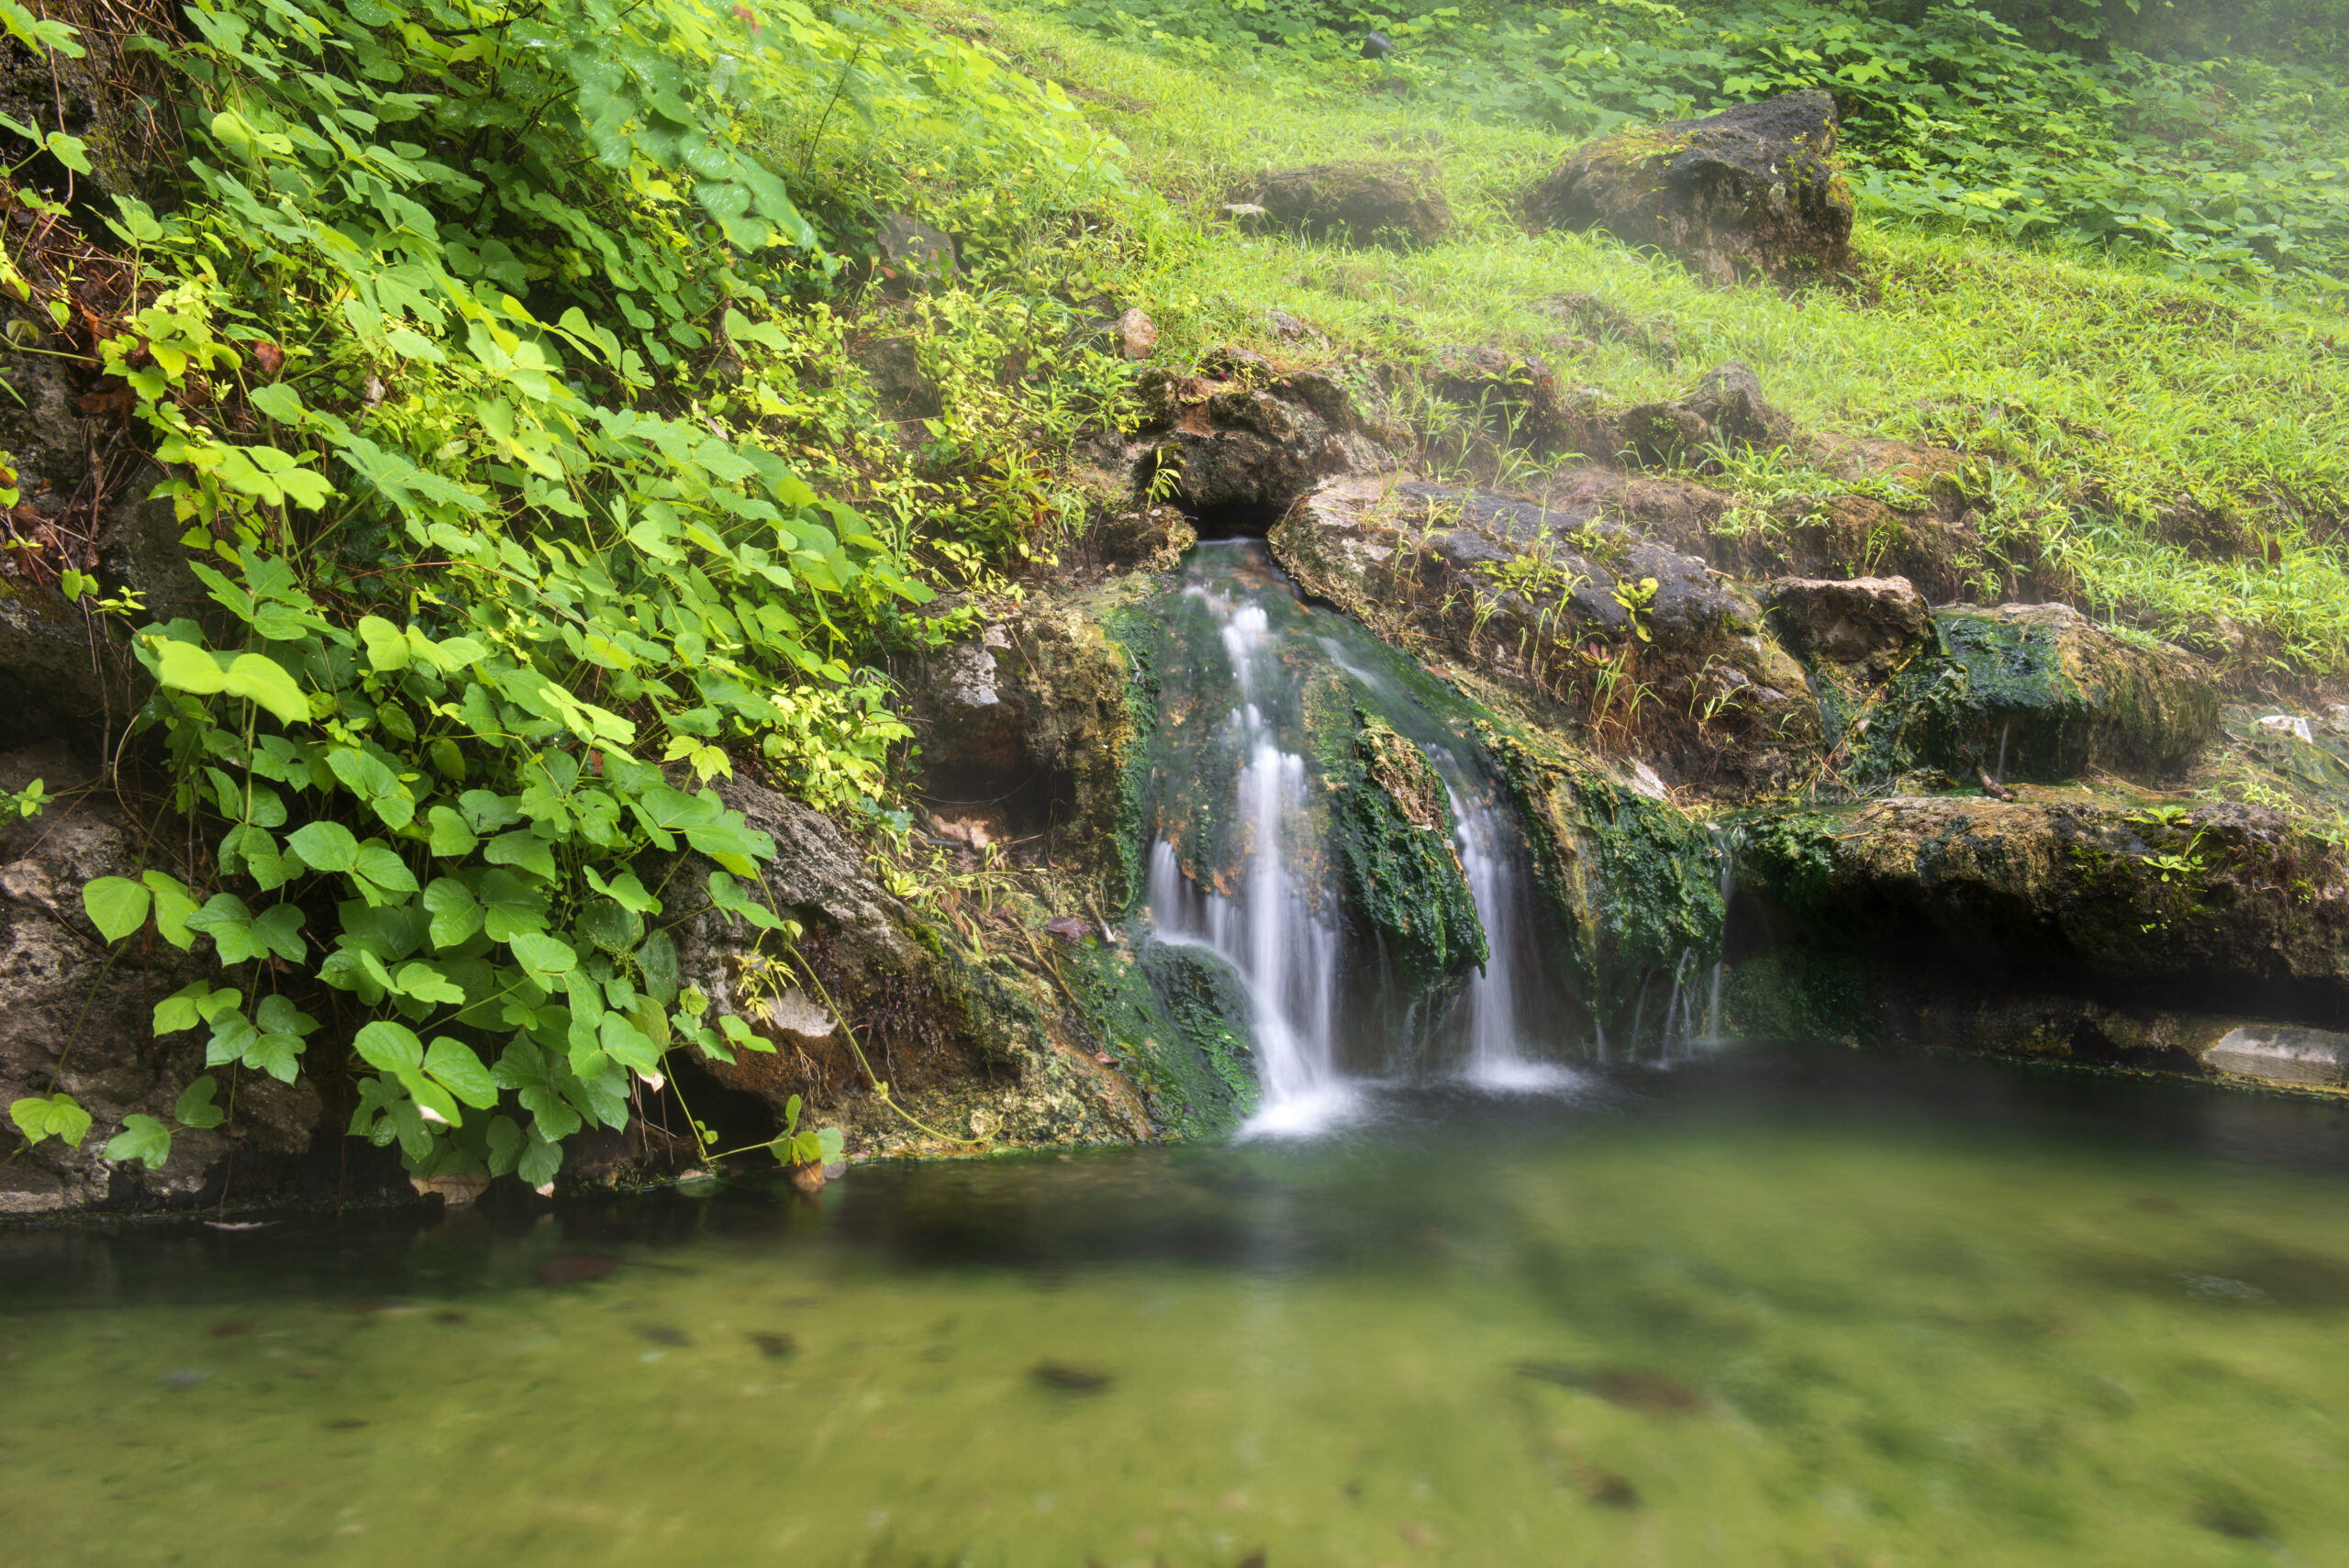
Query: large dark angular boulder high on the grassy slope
x=1754 y=191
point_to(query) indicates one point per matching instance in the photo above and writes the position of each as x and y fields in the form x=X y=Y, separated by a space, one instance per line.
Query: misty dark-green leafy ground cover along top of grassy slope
x=2209 y=165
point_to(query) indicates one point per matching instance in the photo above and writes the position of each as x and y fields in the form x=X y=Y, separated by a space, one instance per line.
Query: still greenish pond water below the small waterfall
x=1782 y=1306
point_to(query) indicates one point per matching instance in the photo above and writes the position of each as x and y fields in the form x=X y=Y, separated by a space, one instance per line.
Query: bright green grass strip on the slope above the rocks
x=2104 y=398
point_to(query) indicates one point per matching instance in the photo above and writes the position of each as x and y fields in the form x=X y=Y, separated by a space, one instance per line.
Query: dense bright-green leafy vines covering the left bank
x=478 y=356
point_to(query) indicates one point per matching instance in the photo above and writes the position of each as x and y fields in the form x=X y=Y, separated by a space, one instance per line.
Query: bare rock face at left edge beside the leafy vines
x=83 y=1027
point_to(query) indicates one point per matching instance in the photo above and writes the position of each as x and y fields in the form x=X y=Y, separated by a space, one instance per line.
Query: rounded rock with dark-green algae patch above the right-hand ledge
x=2042 y=694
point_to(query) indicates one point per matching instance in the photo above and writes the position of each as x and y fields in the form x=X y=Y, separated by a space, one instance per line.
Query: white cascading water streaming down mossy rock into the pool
x=1256 y=881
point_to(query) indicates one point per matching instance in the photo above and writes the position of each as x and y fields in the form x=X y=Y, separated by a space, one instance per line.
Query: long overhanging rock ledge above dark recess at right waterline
x=2230 y=900
